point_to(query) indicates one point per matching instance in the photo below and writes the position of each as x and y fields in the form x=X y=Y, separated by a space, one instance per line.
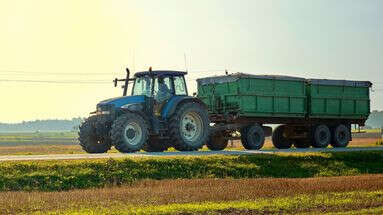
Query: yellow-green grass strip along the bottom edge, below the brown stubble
x=328 y=202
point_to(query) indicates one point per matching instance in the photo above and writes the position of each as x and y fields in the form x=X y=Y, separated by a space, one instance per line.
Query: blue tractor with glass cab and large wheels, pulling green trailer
x=157 y=115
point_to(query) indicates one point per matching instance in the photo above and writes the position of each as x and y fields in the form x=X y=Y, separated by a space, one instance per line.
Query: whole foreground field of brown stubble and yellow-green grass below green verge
x=232 y=196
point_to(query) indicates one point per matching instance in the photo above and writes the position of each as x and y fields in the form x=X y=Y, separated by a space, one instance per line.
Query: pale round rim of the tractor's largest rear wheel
x=191 y=126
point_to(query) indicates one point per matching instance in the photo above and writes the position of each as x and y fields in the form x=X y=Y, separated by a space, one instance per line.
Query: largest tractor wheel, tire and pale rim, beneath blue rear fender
x=189 y=127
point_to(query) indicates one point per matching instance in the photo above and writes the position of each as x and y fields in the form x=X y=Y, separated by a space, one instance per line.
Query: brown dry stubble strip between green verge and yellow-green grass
x=162 y=192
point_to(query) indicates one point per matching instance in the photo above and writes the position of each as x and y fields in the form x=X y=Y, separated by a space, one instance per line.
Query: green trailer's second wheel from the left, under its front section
x=253 y=137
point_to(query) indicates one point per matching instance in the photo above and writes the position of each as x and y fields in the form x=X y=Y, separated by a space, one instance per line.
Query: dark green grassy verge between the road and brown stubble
x=78 y=174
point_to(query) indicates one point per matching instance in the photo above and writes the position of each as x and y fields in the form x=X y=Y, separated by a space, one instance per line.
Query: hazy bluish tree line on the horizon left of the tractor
x=42 y=125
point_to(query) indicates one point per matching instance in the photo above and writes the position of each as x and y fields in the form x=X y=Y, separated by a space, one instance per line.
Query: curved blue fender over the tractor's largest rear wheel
x=176 y=101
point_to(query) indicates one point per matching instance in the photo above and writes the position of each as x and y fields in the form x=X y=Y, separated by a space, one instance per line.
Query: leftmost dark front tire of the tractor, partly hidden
x=89 y=140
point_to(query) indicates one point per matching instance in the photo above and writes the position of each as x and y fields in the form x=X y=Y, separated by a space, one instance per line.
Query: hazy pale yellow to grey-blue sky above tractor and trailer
x=90 y=42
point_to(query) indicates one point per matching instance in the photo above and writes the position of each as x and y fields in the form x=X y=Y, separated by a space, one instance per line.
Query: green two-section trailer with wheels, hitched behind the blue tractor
x=312 y=112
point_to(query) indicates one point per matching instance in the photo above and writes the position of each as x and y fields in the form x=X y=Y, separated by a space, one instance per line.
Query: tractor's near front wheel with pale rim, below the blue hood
x=129 y=133
